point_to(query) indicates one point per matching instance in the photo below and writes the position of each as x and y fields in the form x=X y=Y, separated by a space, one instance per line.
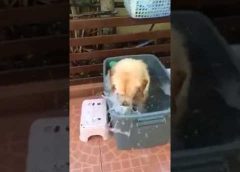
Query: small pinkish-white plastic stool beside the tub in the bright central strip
x=93 y=119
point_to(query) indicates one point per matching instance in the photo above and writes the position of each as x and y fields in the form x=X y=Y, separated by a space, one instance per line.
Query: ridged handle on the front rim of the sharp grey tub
x=146 y=121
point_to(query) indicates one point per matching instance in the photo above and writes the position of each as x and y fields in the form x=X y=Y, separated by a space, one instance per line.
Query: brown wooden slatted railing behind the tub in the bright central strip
x=160 y=47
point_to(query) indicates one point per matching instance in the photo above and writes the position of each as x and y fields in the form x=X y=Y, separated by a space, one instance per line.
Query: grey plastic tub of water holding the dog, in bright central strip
x=150 y=128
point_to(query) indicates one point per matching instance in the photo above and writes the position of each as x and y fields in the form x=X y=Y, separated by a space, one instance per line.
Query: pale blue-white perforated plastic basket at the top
x=147 y=8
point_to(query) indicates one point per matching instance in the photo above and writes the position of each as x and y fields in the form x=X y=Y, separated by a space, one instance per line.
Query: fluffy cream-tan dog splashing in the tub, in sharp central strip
x=130 y=80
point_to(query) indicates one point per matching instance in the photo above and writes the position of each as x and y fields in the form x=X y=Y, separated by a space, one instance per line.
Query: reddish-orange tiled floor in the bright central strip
x=103 y=156
